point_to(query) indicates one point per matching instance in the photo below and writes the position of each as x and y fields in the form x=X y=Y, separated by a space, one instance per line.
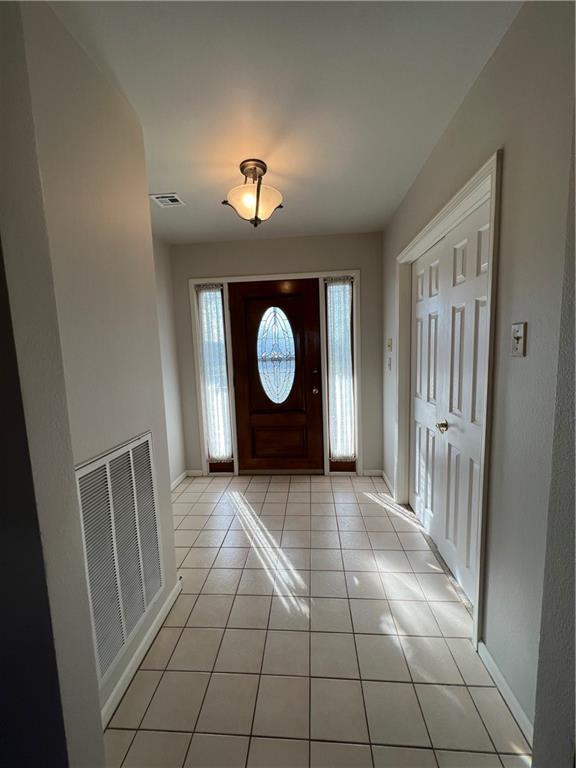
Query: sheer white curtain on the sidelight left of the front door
x=214 y=373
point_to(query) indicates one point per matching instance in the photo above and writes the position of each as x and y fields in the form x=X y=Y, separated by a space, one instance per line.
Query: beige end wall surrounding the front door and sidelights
x=268 y=257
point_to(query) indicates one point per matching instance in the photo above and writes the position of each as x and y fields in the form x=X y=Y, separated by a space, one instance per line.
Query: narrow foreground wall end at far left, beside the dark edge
x=40 y=365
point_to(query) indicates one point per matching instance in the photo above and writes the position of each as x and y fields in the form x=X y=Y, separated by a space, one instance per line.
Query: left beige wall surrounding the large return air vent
x=94 y=188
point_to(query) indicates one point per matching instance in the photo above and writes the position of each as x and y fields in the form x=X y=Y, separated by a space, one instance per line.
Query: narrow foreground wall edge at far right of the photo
x=554 y=727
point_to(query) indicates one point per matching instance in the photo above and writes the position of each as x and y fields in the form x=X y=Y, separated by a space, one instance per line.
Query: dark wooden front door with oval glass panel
x=277 y=379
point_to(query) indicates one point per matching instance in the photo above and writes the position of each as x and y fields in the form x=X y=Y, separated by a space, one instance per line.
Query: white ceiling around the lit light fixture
x=343 y=100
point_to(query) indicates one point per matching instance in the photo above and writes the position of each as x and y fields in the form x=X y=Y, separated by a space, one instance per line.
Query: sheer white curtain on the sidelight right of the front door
x=340 y=369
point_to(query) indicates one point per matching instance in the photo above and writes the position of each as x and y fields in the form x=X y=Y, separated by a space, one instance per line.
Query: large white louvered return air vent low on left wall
x=120 y=529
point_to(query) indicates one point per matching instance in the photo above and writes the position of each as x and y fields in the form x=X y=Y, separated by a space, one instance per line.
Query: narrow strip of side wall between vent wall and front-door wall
x=168 y=349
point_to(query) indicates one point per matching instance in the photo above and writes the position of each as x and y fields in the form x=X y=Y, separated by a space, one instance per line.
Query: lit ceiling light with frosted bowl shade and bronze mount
x=253 y=201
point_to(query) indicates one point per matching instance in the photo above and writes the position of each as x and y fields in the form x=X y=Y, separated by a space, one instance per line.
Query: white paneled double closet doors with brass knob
x=449 y=365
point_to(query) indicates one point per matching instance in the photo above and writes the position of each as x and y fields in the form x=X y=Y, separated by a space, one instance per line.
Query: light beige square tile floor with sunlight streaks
x=316 y=628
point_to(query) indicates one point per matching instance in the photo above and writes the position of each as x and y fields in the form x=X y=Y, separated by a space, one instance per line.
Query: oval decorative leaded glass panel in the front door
x=275 y=353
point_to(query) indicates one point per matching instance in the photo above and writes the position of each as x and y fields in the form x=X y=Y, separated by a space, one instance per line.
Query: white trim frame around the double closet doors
x=483 y=186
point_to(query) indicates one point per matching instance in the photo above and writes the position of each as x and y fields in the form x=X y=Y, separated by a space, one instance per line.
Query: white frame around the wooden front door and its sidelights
x=225 y=281
